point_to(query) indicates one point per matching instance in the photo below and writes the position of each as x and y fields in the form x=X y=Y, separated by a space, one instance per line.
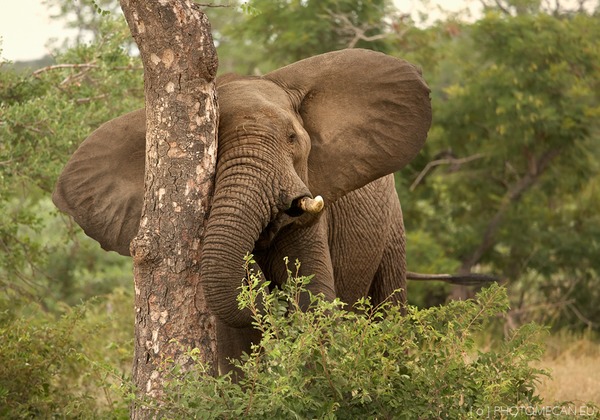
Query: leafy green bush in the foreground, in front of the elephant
x=371 y=362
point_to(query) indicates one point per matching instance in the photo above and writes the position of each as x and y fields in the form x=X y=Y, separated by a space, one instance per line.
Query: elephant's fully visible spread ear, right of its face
x=367 y=114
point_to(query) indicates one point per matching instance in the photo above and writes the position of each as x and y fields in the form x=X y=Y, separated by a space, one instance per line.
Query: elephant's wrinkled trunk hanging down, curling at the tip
x=237 y=218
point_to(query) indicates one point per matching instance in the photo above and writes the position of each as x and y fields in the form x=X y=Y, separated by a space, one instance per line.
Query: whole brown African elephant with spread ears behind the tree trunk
x=336 y=125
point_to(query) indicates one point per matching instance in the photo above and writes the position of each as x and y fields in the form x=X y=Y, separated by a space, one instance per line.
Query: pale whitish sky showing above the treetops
x=26 y=27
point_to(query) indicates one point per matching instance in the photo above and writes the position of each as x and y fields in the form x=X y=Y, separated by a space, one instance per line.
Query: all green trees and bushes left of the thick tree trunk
x=61 y=358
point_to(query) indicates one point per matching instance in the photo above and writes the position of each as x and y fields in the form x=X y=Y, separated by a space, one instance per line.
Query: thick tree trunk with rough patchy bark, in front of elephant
x=180 y=64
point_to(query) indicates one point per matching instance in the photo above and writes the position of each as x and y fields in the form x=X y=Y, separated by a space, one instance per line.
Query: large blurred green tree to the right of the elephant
x=516 y=98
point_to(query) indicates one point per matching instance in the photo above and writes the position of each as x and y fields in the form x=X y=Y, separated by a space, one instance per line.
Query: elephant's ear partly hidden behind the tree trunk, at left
x=102 y=185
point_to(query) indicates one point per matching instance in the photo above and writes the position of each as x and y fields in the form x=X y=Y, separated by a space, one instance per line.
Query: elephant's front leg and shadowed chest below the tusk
x=308 y=245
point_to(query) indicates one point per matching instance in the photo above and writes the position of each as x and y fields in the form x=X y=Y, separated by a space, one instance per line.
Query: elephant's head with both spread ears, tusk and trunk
x=323 y=126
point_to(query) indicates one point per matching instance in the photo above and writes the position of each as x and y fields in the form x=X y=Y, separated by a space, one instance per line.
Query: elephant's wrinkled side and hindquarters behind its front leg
x=371 y=246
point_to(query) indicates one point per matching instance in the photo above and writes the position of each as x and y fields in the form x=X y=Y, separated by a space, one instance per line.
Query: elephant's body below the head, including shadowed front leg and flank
x=358 y=241
